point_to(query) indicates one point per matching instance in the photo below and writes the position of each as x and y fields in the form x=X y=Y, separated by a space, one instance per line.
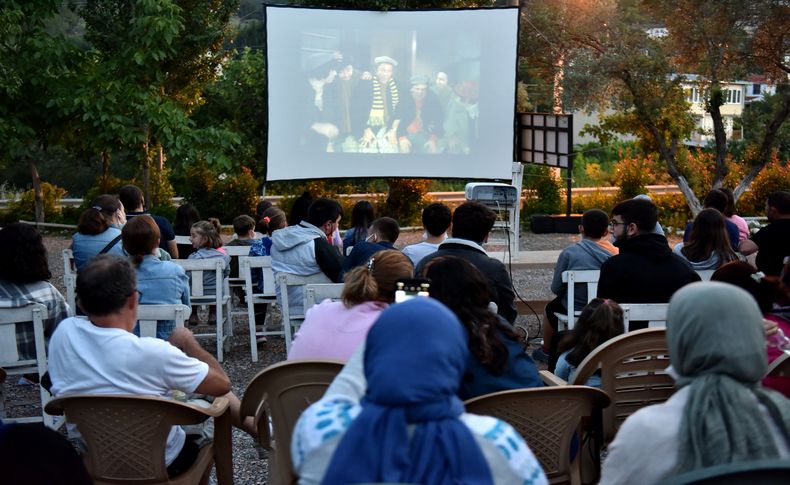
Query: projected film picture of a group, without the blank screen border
x=401 y=101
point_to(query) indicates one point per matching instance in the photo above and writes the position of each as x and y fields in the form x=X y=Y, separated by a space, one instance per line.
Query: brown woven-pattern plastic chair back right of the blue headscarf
x=547 y=418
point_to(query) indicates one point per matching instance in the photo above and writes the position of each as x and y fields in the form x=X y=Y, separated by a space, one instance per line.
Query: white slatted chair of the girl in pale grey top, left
x=221 y=299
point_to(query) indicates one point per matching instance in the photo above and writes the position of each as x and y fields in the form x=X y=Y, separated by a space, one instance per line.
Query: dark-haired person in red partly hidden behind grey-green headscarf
x=766 y=291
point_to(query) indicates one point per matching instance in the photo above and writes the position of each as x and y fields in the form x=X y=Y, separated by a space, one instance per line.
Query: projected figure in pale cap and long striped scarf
x=382 y=102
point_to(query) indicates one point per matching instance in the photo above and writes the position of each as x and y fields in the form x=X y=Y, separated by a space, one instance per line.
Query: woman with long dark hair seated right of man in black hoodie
x=708 y=245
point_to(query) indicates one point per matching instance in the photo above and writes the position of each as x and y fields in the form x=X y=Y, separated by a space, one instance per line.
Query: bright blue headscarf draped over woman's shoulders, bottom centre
x=415 y=357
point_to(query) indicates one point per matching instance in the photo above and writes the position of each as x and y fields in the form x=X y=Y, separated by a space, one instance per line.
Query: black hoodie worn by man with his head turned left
x=645 y=271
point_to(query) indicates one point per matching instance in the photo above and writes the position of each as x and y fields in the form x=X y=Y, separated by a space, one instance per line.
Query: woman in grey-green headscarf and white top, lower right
x=720 y=414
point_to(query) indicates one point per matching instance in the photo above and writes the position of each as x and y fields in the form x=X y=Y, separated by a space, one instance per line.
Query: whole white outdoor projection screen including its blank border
x=390 y=94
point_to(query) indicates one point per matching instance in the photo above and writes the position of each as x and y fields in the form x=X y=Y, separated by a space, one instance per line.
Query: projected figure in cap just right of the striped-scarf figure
x=418 y=120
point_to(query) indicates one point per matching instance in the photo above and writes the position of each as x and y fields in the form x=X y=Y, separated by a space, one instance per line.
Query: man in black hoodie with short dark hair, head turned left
x=646 y=270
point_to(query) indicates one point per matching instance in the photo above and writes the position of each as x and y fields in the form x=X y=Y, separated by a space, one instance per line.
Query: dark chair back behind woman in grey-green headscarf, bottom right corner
x=764 y=472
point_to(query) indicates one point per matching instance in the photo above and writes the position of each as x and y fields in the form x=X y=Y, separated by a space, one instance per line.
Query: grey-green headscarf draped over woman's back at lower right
x=717 y=346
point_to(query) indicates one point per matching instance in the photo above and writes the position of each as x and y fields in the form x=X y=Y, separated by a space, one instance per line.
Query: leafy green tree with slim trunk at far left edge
x=33 y=63
